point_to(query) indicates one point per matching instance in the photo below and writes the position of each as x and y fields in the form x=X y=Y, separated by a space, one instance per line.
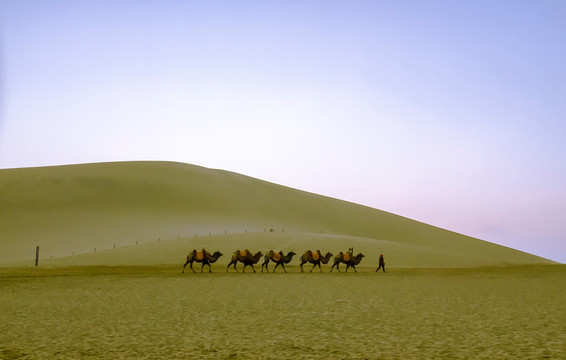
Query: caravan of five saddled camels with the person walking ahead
x=247 y=258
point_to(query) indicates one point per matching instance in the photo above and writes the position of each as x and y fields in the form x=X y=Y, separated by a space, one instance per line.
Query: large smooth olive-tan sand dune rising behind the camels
x=148 y=213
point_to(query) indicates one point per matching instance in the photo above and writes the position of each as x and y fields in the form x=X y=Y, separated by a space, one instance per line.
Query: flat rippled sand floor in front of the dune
x=157 y=312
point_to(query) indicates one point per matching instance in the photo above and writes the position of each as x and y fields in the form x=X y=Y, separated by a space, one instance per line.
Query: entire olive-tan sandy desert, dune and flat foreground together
x=113 y=238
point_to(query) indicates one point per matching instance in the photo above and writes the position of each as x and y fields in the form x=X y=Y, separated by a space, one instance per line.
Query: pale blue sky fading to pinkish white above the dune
x=452 y=113
